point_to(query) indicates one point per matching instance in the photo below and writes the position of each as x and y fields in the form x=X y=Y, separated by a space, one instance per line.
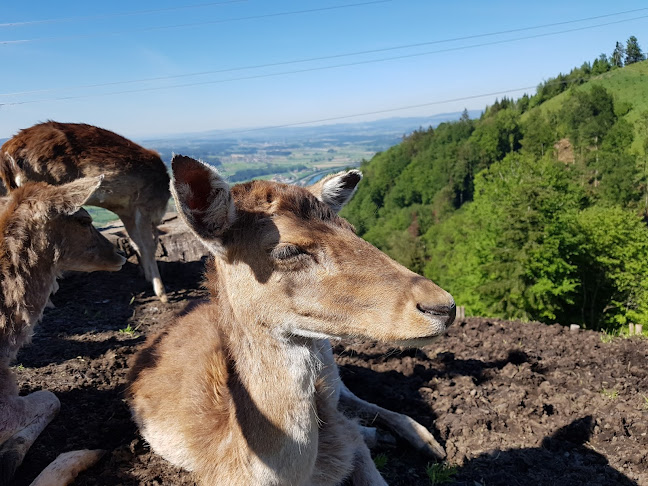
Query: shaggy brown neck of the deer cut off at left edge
x=28 y=278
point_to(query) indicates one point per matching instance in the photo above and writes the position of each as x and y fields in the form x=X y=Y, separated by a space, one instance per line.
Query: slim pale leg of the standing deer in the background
x=140 y=230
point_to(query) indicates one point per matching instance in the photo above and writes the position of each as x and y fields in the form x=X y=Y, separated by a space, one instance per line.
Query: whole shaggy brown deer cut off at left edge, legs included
x=44 y=231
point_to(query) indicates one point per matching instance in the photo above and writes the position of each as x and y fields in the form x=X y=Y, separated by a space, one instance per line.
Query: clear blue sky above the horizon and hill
x=91 y=43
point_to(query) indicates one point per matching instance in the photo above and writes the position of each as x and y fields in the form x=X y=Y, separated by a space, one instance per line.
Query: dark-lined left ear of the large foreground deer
x=203 y=198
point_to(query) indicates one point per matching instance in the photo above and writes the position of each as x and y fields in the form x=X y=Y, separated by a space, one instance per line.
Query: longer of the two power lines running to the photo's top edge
x=196 y=24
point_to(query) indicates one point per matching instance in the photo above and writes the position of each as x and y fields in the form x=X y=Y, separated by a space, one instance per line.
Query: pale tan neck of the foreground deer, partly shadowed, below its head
x=274 y=391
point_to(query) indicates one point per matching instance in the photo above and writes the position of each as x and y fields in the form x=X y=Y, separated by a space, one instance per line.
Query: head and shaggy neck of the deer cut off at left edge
x=43 y=233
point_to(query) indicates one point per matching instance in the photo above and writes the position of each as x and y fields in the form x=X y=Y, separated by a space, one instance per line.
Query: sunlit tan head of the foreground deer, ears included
x=284 y=259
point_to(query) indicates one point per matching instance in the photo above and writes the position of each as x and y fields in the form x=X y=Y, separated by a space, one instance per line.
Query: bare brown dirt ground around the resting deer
x=513 y=403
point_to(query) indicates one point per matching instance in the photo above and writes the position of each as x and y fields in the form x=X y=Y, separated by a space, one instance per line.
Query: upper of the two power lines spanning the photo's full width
x=322 y=58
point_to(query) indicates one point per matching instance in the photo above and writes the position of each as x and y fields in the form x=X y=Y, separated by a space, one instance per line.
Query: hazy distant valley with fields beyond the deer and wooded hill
x=293 y=154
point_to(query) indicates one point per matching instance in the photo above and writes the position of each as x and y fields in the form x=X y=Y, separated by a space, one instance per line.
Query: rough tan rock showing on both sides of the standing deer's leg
x=176 y=242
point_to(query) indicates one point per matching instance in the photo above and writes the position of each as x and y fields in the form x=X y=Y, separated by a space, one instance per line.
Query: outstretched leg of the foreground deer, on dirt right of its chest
x=400 y=425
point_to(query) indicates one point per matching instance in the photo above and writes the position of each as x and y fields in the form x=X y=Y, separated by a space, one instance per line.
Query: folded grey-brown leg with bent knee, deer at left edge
x=22 y=420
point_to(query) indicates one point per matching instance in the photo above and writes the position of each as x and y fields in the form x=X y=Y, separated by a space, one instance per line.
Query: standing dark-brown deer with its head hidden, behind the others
x=135 y=187
